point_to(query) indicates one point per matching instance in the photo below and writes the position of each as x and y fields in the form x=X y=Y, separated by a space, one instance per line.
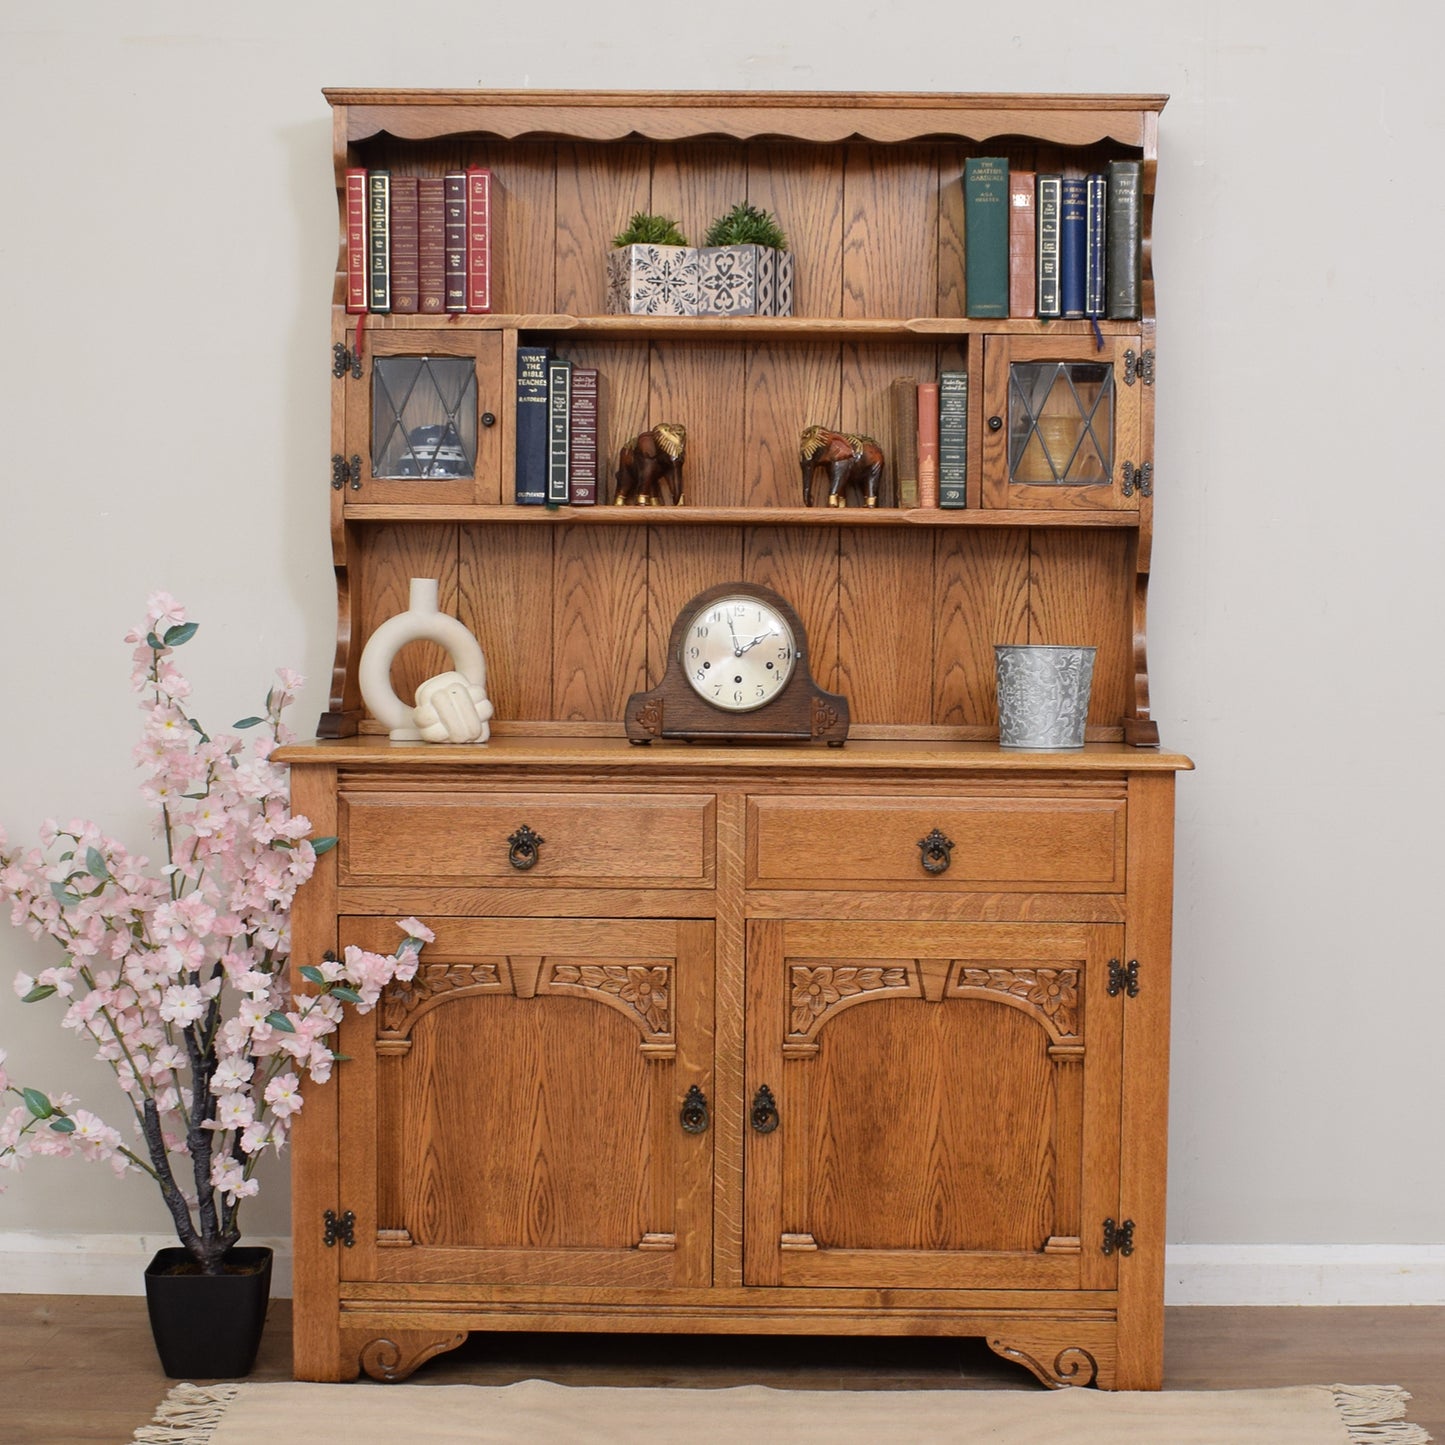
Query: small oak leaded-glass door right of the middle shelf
x=1061 y=423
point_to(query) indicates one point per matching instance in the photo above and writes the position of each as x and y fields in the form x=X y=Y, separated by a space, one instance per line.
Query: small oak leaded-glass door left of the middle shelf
x=423 y=421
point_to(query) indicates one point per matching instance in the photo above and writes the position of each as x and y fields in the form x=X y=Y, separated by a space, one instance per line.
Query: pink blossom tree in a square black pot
x=178 y=973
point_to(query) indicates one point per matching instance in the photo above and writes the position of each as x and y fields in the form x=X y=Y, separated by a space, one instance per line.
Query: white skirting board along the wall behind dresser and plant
x=40 y=1264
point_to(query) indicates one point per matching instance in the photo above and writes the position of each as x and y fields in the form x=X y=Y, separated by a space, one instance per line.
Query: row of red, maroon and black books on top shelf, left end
x=418 y=245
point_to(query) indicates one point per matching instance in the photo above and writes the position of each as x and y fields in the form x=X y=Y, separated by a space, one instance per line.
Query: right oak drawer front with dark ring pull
x=1053 y=845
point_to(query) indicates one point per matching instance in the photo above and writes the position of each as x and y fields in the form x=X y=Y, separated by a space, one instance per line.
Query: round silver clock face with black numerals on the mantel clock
x=738 y=654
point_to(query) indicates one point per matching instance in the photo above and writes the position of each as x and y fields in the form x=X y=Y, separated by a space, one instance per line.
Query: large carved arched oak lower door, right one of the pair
x=947 y=1105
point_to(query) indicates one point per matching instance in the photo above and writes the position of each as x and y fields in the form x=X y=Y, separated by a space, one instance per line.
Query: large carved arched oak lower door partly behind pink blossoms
x=512 y=1116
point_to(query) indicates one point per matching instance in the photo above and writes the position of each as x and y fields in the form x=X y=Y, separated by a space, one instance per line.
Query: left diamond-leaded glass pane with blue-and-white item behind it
x=424 y=417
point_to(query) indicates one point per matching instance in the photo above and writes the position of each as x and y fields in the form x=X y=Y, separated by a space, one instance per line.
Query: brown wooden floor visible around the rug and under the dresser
x=83 y=1369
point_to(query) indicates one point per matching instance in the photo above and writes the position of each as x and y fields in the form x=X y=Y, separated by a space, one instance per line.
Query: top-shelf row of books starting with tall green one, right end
x=1053 y=246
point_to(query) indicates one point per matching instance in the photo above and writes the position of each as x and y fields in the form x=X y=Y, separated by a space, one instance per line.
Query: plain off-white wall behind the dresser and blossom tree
x=170 y=238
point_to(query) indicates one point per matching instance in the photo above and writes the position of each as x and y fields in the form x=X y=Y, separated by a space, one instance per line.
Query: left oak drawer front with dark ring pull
x=589 y=840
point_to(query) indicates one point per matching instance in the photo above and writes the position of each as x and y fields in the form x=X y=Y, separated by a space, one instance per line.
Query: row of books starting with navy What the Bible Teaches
x=560 y=430
